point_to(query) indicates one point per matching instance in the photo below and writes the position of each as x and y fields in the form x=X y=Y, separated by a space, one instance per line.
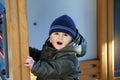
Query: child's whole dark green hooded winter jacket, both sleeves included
x=52 y=64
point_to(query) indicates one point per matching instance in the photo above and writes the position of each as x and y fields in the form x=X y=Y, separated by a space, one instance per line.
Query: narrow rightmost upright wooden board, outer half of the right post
x=110 y=39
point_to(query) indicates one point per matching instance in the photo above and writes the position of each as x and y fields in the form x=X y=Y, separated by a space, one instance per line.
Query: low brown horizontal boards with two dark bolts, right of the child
x=90 y=70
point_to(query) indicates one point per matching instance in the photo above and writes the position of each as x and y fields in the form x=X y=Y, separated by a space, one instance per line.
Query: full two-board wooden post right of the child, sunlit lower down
x=105 y=38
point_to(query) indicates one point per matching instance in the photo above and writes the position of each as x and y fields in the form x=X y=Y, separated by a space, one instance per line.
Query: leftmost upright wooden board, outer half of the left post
x=13 y=39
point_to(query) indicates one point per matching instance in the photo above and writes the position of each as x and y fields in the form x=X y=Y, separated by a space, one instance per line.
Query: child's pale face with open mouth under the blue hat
x=59 y=39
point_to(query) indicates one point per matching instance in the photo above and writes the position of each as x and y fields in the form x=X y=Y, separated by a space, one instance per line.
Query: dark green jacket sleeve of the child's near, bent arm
x=64 y=65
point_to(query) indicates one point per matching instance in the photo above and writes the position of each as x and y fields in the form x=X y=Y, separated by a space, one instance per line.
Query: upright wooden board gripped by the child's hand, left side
x=23 y=36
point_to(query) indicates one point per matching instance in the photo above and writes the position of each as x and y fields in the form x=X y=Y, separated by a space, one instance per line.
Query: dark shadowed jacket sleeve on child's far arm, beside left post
x=35 y=53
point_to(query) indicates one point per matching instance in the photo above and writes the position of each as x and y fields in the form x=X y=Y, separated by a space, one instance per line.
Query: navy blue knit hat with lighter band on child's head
x=64 y=24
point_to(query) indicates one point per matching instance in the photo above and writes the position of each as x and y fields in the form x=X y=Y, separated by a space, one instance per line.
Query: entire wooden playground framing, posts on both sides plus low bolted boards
x=17 y=43
